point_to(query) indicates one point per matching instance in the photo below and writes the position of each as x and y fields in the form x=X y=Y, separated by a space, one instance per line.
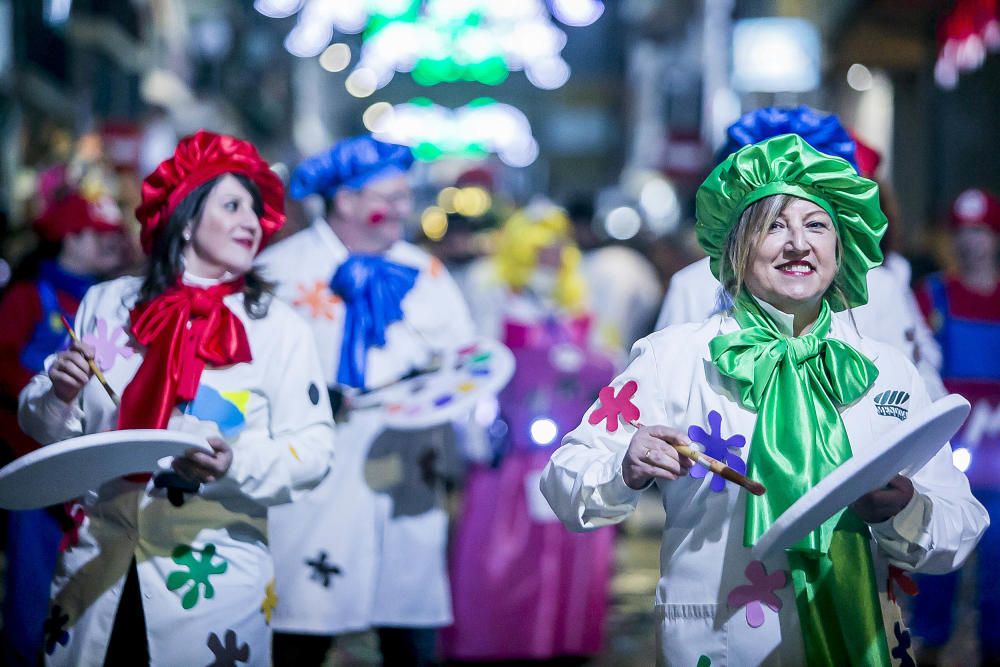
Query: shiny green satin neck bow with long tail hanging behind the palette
x=797 y=385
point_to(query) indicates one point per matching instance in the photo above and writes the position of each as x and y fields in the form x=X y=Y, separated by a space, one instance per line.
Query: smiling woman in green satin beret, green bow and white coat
x=778 y=389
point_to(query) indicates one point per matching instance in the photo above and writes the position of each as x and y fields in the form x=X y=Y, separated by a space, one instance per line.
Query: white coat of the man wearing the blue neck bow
x=367 y=547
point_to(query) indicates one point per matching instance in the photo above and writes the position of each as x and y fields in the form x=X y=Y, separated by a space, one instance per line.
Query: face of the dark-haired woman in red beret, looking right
x=227 y=235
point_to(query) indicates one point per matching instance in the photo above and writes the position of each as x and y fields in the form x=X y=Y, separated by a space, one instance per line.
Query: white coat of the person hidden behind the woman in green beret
x=891 y=314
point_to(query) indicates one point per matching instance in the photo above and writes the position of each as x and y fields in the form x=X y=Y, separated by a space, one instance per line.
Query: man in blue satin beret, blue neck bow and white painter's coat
x=366 y=549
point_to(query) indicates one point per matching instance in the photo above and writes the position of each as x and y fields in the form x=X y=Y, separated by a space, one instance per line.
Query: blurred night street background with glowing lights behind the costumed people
x=614 y=110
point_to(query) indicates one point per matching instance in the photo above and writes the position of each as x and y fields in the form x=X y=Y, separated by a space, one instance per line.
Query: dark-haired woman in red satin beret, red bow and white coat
x=174 y=568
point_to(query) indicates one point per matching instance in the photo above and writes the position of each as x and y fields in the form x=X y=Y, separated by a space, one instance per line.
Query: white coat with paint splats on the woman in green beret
x=702 y=554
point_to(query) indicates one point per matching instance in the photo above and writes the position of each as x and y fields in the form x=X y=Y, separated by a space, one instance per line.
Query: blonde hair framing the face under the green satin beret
x=746 y=236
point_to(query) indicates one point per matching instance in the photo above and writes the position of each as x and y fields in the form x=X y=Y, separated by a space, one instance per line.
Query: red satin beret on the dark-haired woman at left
x=199 y=158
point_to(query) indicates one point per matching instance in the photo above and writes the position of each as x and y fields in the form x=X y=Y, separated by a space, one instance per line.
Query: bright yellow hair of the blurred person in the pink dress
x=524 y=236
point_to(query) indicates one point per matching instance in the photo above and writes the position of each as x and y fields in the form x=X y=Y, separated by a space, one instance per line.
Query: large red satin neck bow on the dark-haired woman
x=184 y=329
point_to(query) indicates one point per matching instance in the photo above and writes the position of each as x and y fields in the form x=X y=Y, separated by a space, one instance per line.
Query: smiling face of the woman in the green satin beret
x=795 y=260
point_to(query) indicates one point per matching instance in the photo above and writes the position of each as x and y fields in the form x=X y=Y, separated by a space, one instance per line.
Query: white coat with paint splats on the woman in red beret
x=283 y=447
